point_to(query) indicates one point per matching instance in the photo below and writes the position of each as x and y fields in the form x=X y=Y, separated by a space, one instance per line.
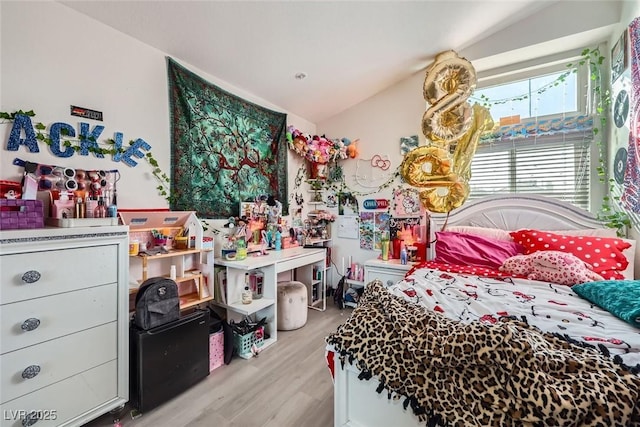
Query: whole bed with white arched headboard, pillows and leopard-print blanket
x=467 y=284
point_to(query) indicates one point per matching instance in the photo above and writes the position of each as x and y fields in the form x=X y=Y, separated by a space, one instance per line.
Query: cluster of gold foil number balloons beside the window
x=445 y=178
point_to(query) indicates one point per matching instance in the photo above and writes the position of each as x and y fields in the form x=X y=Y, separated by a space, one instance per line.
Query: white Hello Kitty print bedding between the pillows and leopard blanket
x=547 y=306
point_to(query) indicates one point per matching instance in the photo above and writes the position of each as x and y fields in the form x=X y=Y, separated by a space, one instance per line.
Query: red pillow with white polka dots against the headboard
x=603 y=254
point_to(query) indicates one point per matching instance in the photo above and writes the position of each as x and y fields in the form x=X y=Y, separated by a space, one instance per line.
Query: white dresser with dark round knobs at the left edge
x=64 y=347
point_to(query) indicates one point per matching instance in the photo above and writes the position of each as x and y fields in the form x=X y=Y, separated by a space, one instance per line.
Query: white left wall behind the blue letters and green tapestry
x=54 y=57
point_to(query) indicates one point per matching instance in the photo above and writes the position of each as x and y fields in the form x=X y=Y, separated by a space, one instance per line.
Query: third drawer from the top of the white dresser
x=56 y=360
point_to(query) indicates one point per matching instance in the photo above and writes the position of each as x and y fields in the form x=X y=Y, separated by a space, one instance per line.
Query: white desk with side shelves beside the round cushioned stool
x=302 y=260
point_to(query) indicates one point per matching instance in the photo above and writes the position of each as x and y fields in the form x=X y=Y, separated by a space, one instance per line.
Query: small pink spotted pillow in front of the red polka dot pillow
x=551 y=266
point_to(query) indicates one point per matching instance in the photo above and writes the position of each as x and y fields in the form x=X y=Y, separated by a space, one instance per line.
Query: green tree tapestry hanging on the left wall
x=224 y=150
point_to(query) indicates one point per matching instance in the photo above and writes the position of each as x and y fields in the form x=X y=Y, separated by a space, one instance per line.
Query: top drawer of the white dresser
x=52 y=272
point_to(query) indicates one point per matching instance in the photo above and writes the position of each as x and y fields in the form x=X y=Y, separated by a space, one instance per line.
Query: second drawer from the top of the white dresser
x=56 y=315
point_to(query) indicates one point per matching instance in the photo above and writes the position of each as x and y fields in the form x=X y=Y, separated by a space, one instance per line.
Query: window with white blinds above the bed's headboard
x=544 y=152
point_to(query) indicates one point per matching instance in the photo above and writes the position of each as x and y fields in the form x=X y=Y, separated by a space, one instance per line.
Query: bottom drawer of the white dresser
x=64 y=401
